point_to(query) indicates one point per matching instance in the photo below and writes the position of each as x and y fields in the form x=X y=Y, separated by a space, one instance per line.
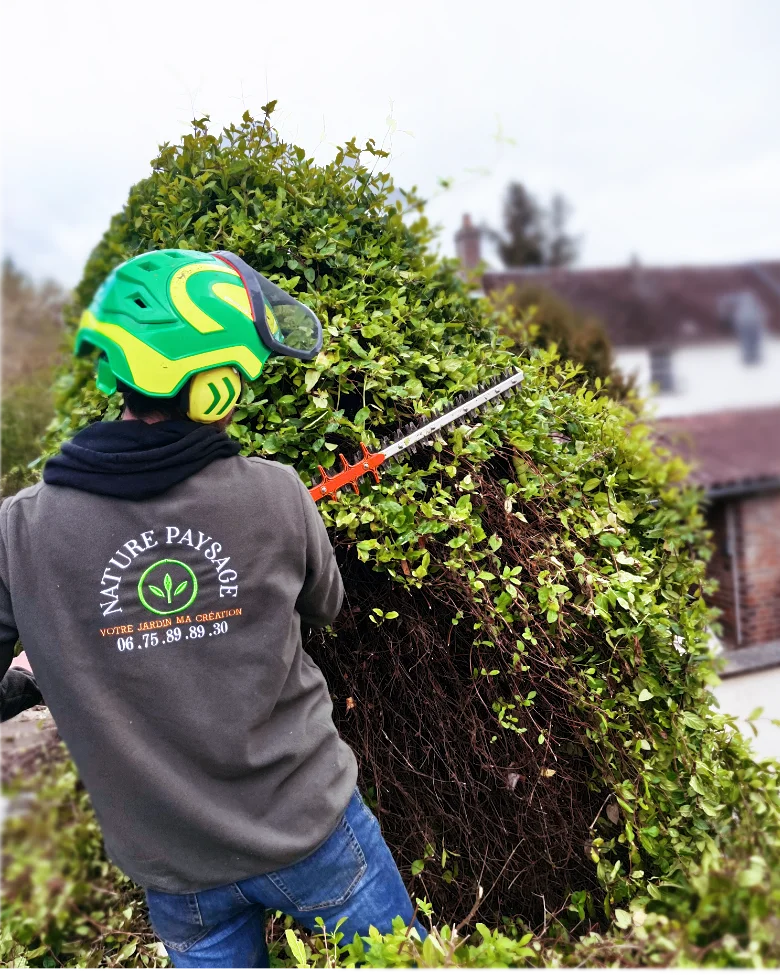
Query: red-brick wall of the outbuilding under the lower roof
x=757 y=522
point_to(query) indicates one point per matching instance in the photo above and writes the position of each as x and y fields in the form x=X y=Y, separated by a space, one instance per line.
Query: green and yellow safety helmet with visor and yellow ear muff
x=166 y=316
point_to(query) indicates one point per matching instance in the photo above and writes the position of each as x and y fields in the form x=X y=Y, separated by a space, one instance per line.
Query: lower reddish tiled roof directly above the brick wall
x=728 y=450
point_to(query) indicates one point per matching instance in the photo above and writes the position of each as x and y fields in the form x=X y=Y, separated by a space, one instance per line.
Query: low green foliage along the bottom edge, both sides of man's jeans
x=62 y=906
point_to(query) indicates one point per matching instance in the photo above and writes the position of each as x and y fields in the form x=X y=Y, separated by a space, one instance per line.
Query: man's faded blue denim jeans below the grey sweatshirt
x=351 y=874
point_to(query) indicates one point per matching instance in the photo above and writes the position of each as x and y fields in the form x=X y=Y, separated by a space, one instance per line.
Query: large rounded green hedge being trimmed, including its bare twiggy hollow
x=522 y=663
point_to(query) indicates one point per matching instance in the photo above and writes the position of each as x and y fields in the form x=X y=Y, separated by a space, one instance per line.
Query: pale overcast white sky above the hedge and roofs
x=658 y=120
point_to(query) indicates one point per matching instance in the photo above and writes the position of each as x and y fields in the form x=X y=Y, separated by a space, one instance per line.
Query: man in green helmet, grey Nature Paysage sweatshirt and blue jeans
x=158 y=582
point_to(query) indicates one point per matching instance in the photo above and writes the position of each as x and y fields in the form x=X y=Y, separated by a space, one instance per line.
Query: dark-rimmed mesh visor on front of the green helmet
x=285 y=326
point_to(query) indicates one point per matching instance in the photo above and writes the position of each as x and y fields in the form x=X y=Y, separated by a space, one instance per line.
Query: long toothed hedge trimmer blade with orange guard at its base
x=411 y=436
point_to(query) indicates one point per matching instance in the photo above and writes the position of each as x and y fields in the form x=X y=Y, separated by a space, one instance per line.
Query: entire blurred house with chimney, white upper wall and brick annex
x=703 y=344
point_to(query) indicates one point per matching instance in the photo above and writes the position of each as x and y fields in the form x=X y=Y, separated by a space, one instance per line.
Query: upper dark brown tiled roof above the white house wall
x=655 y=306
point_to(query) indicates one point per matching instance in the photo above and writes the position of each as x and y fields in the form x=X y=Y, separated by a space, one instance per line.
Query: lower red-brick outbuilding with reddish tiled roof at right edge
x=735 y=458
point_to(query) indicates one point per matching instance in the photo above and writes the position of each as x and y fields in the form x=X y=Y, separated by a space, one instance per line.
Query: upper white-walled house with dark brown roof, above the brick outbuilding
x=696 y=339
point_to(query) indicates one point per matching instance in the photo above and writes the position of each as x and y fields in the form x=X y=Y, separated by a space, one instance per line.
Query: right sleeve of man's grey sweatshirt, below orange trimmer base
x=320 y=598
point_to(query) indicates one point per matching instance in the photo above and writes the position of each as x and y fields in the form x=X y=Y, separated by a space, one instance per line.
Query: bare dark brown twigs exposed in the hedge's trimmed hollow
x=446 y=772
